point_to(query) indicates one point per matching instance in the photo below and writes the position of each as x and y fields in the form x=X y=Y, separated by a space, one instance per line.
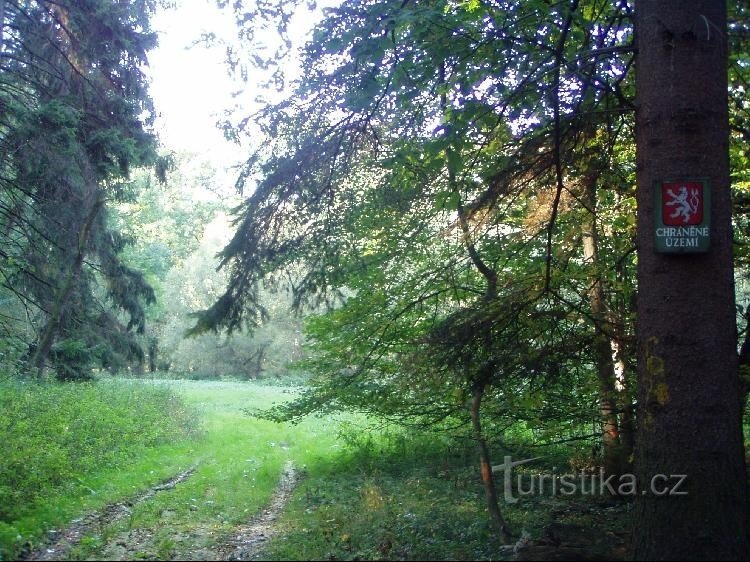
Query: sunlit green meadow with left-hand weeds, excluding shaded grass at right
x=70 y=449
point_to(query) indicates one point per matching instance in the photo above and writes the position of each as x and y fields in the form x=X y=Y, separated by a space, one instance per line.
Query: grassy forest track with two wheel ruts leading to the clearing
x=228 y=508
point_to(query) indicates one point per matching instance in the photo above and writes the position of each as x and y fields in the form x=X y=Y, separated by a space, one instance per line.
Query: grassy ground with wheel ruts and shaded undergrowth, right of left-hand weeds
x=249 y=489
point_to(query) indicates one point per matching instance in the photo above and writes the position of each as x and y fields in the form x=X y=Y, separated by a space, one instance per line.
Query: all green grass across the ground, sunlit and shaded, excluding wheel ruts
x=368 y=491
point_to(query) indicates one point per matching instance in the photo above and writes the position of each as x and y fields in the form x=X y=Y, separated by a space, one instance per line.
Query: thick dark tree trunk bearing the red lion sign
x=688 y=388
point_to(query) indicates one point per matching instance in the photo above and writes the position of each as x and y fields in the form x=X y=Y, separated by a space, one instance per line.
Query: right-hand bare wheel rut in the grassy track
x=246 y=541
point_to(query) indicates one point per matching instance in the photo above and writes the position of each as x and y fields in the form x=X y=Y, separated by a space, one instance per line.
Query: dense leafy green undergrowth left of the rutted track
x=64 y=447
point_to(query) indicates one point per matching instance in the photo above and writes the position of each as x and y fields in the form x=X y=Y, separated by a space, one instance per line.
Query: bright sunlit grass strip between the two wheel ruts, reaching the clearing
x=239 y=463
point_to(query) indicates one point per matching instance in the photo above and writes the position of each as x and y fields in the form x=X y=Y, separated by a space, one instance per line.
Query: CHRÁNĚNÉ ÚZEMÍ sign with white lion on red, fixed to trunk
x=683 y=212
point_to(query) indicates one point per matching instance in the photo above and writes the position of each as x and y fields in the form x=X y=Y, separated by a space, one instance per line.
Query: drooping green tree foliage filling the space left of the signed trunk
x=430 y=175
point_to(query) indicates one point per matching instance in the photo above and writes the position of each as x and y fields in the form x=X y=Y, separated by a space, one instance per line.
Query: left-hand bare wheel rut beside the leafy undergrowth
x=62 y=541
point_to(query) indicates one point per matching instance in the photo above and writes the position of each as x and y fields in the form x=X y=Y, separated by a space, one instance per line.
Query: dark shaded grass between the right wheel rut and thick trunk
x=398 y=495
